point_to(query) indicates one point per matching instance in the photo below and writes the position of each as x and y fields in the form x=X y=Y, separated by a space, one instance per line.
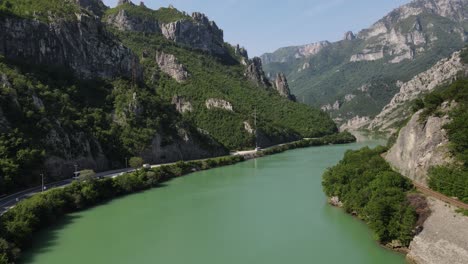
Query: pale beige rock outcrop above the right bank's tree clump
x=421 y=145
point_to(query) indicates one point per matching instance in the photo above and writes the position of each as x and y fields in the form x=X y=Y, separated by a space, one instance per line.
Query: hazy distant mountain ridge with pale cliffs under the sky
x=359 y=75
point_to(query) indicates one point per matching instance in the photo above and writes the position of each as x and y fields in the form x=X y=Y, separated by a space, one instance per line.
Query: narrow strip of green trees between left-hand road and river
x=19 y=224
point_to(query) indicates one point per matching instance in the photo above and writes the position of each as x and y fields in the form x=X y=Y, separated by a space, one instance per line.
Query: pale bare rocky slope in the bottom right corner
x=443 y=238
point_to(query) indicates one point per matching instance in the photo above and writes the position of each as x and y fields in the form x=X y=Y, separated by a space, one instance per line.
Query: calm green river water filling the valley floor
x=270 y=210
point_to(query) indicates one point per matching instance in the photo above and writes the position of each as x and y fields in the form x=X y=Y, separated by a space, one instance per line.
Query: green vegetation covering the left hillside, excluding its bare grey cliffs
x=50 y=118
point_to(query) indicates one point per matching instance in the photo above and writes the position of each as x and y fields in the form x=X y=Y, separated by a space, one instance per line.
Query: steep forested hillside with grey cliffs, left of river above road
x=82 y=84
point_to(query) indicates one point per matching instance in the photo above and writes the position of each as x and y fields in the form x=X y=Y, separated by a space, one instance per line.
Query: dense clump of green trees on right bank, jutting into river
x=371 y=190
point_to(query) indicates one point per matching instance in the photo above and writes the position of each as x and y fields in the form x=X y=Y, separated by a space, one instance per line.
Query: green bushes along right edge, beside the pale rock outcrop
x=451 y=180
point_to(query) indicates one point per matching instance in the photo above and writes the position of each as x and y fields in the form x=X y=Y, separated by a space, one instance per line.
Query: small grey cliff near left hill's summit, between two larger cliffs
x=124 y=22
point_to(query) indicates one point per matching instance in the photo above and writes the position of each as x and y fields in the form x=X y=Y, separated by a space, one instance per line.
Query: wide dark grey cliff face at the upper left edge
x=81 y=45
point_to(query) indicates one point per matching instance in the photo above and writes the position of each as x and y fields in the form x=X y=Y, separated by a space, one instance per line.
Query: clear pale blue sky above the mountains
x=265 y=25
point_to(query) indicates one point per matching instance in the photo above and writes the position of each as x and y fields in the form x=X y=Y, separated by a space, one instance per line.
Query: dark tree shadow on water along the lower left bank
x=46 y=239
